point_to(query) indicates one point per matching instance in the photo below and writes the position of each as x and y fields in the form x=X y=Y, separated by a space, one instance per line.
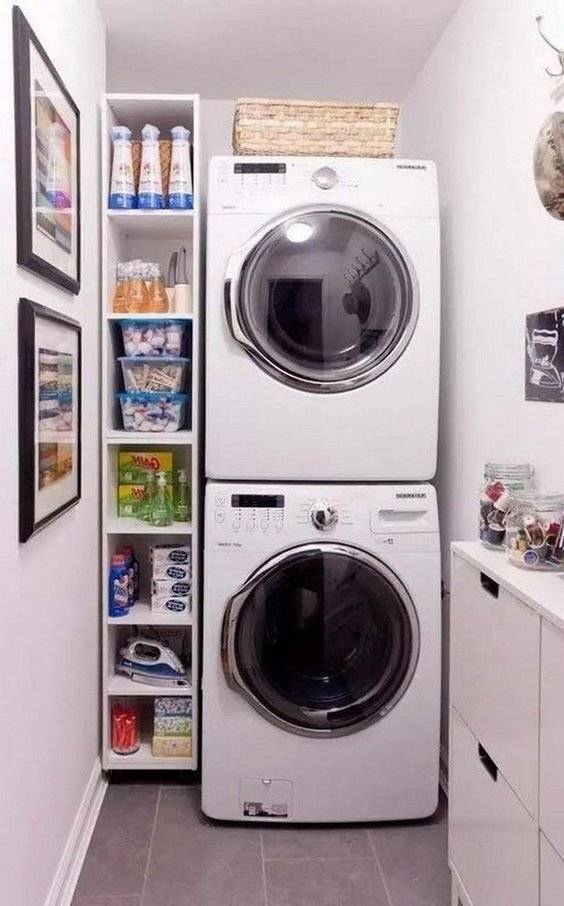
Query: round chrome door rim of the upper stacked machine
x=233 y=280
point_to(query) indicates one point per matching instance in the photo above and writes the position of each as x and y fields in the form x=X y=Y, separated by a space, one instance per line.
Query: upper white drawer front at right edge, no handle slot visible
x=552 y=736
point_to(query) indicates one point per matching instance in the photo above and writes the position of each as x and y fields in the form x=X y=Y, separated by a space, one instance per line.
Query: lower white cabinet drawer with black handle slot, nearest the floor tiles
x=493 y=841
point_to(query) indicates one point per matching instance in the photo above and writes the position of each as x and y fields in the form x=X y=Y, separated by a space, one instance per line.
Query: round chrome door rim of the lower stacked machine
x=238 y=600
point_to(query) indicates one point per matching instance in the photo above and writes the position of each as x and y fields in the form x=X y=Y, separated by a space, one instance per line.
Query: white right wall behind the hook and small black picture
x=476 y=109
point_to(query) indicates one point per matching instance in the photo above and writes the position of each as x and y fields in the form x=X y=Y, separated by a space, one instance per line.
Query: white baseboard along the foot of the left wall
x=68 y=870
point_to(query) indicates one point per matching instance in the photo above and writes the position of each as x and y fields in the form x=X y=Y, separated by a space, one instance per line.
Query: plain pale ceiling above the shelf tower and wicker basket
x=341 y=49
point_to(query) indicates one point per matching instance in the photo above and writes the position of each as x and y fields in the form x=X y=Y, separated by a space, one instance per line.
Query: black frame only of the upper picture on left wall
x=23 y=39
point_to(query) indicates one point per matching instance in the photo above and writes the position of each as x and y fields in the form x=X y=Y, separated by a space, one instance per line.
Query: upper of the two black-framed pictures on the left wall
x=47 y=163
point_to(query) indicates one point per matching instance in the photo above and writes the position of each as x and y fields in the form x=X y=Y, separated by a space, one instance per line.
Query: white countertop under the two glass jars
x=541 y=591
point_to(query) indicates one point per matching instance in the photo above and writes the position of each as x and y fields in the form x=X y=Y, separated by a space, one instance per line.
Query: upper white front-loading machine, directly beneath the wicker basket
x=322 y=319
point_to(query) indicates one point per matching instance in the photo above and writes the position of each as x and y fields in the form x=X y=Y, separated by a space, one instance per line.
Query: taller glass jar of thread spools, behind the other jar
x=502 y=482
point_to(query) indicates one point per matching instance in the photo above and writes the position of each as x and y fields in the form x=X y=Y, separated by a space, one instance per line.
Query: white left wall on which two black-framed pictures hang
x=49 y=607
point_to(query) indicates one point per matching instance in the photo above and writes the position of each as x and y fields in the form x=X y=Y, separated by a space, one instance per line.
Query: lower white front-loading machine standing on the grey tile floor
x=321 y=666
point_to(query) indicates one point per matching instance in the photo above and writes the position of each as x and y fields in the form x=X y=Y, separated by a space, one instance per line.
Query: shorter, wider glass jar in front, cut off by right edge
x=535 y=538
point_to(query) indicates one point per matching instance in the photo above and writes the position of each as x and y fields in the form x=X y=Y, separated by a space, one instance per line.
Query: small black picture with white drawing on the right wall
x=544 y=356
